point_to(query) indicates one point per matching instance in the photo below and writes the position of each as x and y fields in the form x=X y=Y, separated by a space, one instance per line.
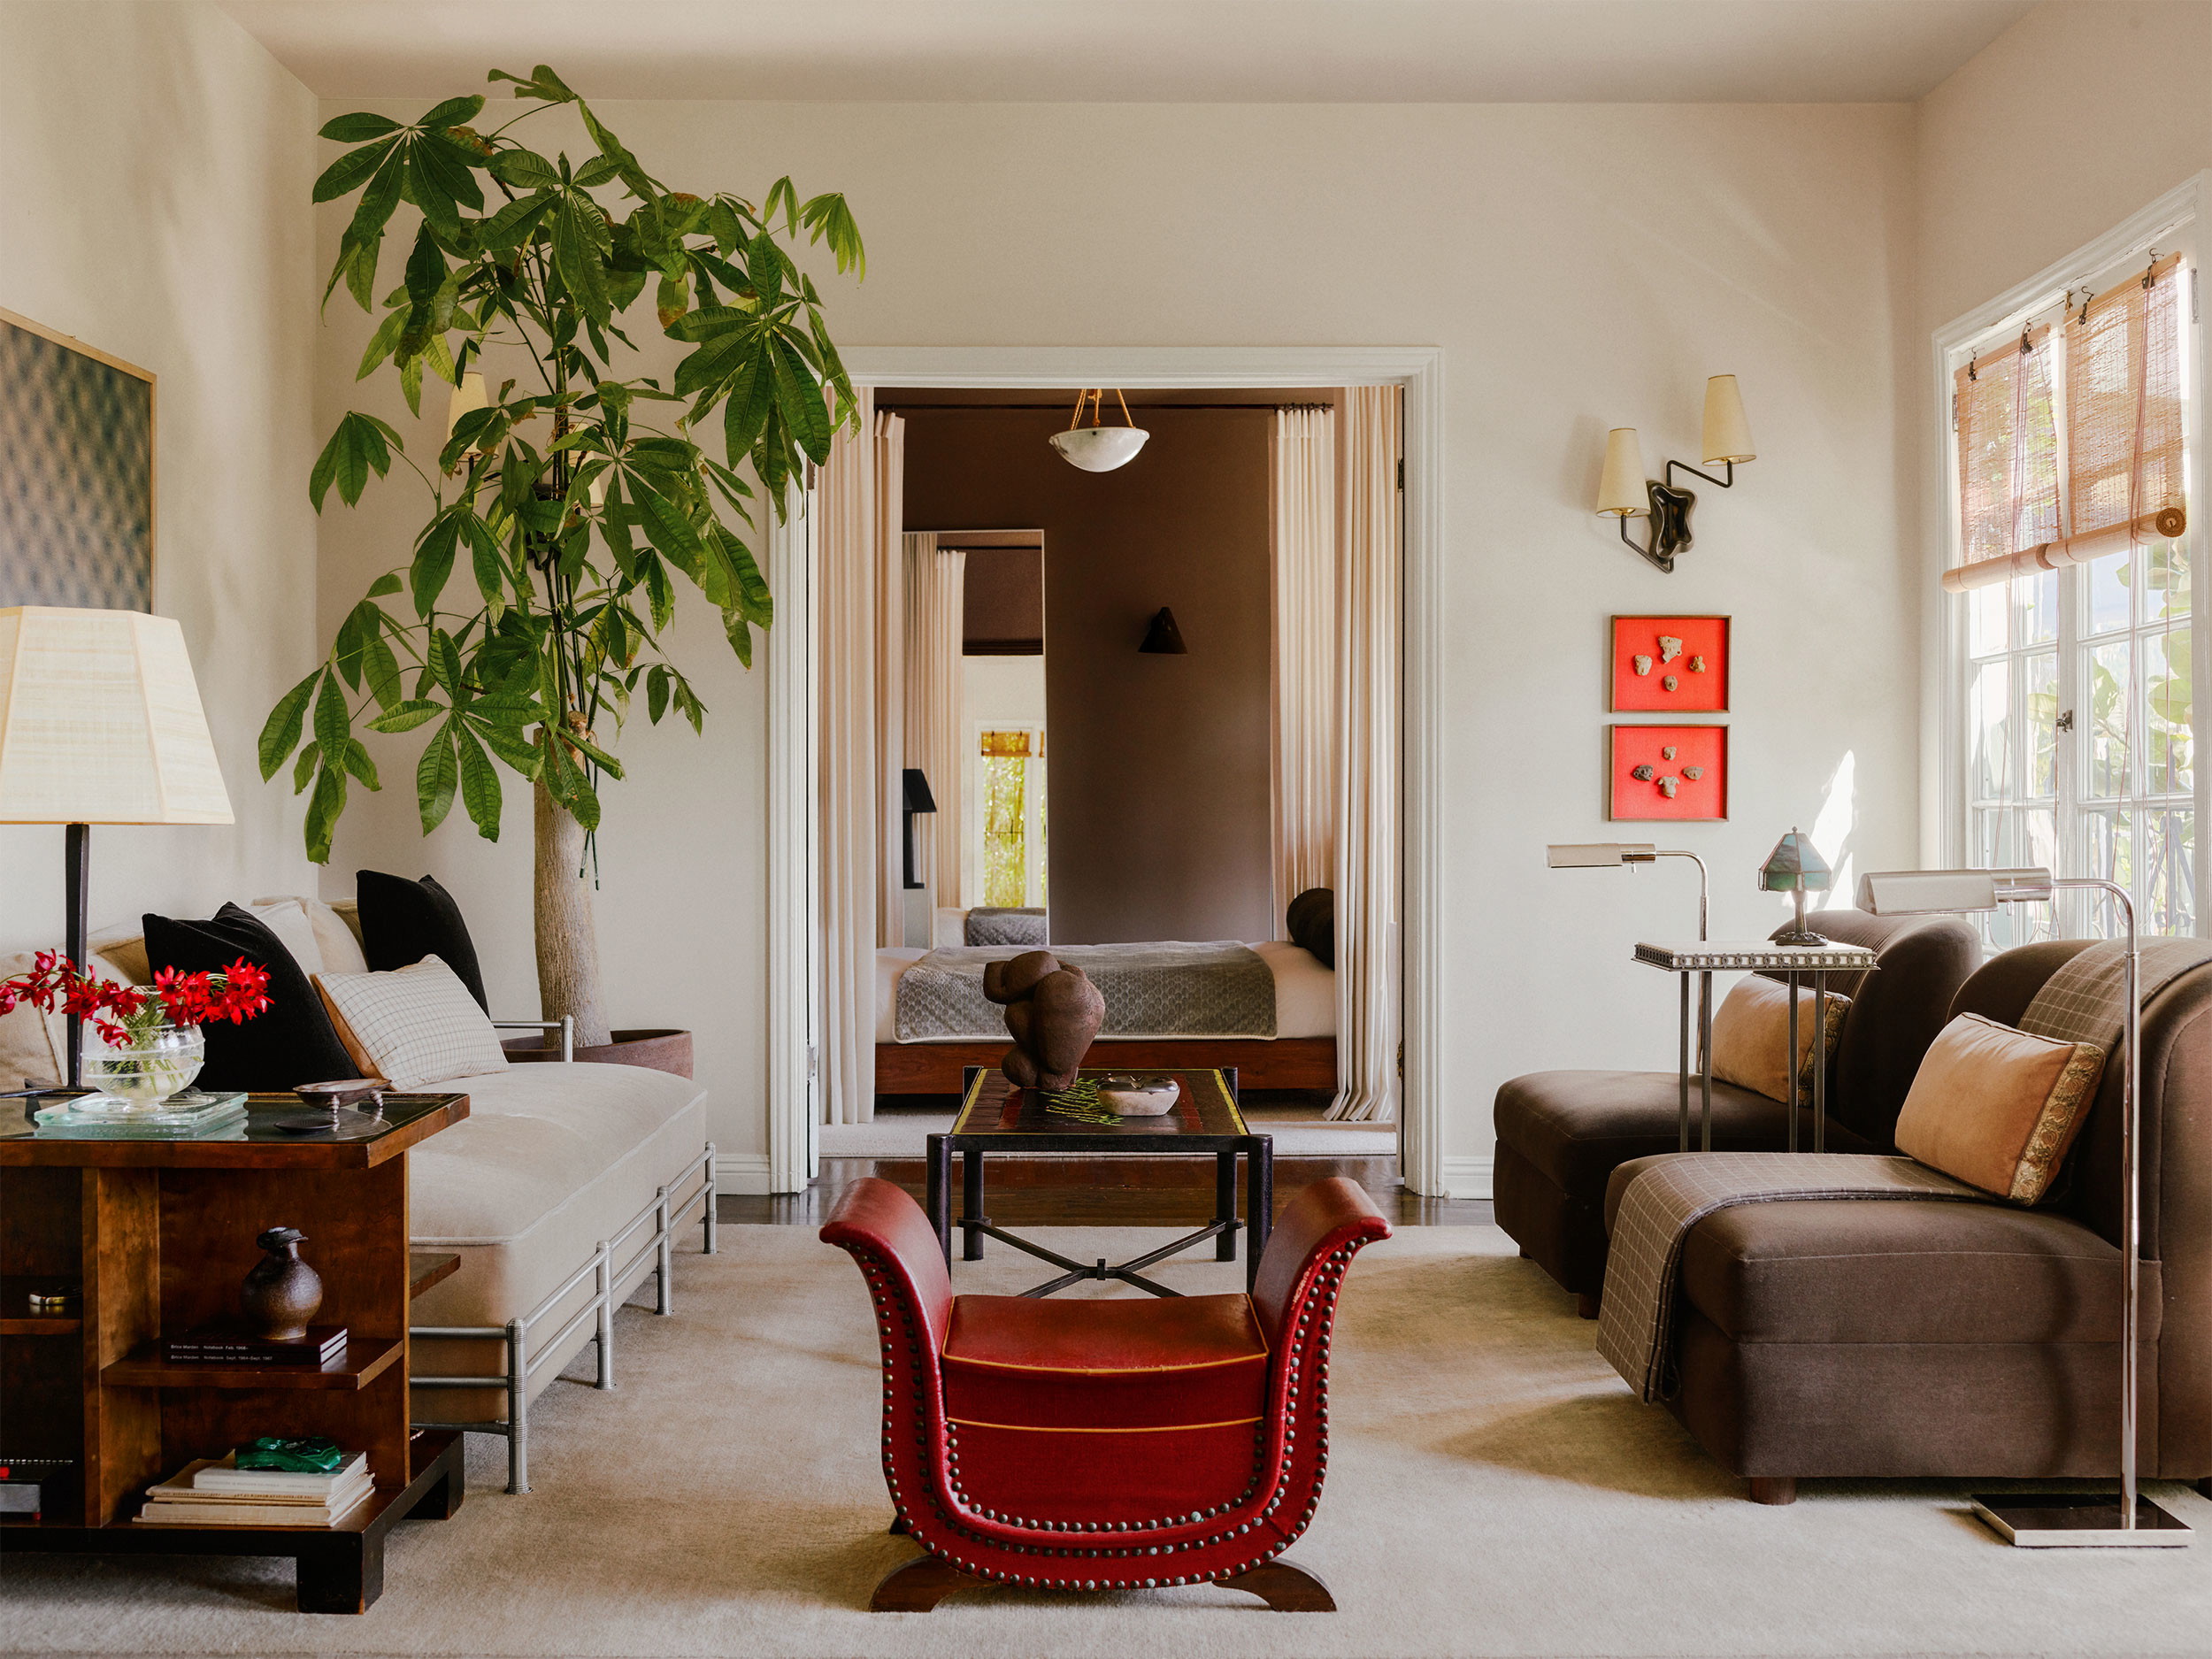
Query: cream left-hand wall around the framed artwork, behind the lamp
x=156 y=205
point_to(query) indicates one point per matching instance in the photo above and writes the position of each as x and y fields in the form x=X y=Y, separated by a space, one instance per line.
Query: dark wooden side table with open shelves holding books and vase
x=156 y=1235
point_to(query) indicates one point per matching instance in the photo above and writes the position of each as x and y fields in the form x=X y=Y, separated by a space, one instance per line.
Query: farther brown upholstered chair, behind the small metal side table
x=1563 y=1134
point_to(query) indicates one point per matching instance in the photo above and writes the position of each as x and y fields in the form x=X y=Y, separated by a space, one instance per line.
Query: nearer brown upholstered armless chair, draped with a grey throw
x=1965 y=1339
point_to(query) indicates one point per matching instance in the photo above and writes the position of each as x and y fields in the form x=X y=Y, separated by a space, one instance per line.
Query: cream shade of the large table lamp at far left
x=101 y=722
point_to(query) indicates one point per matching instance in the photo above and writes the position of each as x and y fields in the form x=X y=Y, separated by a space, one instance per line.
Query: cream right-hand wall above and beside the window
x=2052 y=136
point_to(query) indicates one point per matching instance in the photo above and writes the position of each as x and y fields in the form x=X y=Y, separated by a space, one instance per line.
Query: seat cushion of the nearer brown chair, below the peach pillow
x=1903 y=1273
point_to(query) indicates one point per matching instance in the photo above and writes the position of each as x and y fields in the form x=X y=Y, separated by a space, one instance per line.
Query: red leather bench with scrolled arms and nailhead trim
x=1100 y=1446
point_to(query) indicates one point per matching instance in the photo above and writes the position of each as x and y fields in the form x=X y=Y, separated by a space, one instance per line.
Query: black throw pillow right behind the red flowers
x=289 y=1043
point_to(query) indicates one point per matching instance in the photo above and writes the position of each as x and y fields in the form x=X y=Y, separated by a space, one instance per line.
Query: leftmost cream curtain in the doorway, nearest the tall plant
x=846 y=665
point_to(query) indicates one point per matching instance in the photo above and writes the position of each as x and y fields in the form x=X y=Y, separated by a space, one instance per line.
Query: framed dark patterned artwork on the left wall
x=76 y=472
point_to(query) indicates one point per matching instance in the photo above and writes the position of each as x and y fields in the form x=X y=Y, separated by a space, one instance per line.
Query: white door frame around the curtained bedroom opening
x=1421 y=373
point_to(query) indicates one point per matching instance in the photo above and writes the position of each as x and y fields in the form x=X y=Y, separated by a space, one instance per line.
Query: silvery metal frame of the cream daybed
x=612 y=1284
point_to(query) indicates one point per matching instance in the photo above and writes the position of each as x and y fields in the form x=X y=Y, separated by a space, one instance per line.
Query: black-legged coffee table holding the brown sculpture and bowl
x=1001 y=1118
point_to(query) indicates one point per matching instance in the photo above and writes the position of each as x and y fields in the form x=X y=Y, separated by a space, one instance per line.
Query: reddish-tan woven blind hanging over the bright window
x=2116 y=424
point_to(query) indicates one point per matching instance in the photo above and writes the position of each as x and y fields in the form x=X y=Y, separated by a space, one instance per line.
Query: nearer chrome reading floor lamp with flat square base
x=2065 y=1519
